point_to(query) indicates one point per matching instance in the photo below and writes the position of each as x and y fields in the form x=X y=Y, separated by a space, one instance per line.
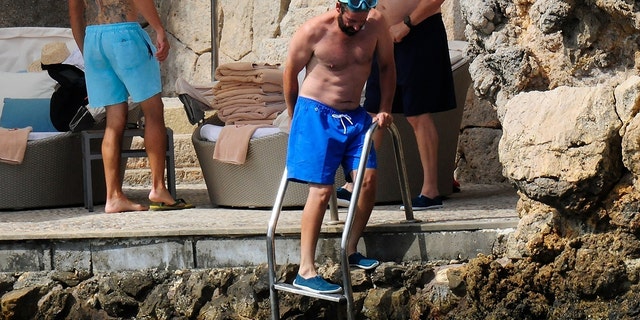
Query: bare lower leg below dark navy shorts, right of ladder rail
x=427 y=140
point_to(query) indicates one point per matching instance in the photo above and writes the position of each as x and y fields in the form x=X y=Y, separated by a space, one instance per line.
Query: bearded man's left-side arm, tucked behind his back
x=298 y=55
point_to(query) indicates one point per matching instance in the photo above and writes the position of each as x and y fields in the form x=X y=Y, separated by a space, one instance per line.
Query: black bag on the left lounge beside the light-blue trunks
x=68 y=109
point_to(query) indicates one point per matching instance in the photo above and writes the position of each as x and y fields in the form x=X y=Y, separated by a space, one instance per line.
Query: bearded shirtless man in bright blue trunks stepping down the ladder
x=328 y=124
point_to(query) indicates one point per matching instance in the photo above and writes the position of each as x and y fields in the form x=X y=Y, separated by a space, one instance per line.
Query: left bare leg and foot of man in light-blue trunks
x=116 y=201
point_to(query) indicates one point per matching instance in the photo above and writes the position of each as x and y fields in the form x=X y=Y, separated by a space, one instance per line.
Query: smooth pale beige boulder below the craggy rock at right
x=563 y=152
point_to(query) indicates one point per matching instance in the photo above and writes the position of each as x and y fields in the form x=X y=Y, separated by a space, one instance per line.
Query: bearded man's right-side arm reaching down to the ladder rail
x=386 y=64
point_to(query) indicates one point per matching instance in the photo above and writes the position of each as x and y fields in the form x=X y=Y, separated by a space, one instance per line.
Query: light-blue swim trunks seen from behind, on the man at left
x=119 y=62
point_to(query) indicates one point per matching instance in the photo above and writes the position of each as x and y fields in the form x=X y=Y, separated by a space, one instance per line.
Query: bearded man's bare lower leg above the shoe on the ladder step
x=312 y=216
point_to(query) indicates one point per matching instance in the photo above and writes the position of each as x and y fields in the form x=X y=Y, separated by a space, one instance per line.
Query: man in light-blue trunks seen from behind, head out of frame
x=119 y=61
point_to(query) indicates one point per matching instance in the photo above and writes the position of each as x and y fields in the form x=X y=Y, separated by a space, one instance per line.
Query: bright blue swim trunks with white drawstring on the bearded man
x=322 y=138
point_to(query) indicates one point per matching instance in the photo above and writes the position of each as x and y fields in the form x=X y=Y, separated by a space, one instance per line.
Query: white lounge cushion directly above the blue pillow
x=25 y=85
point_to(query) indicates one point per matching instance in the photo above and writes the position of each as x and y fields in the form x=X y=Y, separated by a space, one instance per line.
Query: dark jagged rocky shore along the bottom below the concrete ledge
x=577 y=286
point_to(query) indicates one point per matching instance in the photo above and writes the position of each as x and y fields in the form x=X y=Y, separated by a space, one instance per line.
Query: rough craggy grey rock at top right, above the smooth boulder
x=516 y=46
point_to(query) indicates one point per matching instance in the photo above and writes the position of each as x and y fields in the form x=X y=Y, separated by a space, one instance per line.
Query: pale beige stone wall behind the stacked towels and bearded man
x=245 y=30
